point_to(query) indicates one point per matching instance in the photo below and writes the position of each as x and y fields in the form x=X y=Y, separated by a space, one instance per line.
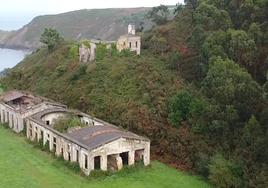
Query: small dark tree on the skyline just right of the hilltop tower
x=159 y=15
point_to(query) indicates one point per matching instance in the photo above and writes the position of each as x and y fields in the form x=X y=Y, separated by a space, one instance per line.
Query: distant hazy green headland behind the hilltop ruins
x=105 y=24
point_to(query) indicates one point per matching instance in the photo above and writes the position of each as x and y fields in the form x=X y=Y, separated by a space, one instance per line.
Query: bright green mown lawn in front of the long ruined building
x=22 y=165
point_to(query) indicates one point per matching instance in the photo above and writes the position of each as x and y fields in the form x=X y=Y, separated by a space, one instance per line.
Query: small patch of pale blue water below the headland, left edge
x=10 y=58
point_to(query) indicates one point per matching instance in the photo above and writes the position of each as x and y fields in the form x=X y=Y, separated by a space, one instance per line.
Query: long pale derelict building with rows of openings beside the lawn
x=93 y=143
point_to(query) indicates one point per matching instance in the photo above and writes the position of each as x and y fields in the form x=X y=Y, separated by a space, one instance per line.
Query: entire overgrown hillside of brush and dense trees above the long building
x=199 y=90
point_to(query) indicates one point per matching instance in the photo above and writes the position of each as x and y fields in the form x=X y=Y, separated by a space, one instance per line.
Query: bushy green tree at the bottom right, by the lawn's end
x=224 y=173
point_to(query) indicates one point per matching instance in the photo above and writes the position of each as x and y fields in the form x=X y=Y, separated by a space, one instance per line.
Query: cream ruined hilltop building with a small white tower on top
x=130 y=41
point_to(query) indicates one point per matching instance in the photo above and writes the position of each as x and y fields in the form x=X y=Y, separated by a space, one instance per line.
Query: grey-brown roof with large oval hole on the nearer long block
x=90 y=137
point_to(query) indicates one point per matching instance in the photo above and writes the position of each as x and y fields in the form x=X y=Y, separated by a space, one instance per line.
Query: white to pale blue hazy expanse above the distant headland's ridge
x=16 y=13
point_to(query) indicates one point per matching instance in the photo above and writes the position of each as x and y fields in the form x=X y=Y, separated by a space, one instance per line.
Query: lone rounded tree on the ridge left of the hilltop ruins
x=51 y=38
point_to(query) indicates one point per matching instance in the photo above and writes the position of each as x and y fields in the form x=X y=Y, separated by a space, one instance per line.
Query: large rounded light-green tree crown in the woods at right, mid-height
x=229 y=84
